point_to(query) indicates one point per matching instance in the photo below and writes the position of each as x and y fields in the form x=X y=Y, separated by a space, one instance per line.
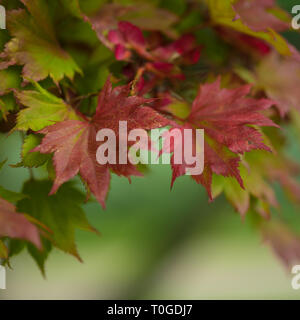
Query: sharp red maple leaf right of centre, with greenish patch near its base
x=225 y=116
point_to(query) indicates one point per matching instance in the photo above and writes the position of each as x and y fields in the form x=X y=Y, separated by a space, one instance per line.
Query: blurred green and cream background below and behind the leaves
x=155 y=244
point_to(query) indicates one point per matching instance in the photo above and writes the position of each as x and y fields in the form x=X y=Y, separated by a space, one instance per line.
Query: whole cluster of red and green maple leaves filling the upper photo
x=222 y=66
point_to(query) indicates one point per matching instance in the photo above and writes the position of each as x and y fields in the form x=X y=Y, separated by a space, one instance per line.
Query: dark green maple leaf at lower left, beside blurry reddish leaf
x=61 y=213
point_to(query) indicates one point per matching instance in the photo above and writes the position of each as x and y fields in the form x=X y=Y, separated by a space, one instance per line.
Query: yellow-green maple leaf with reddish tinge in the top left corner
x=34 y=44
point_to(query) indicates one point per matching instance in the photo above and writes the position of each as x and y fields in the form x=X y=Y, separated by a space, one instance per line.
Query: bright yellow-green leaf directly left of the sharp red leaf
x=44 y=109
